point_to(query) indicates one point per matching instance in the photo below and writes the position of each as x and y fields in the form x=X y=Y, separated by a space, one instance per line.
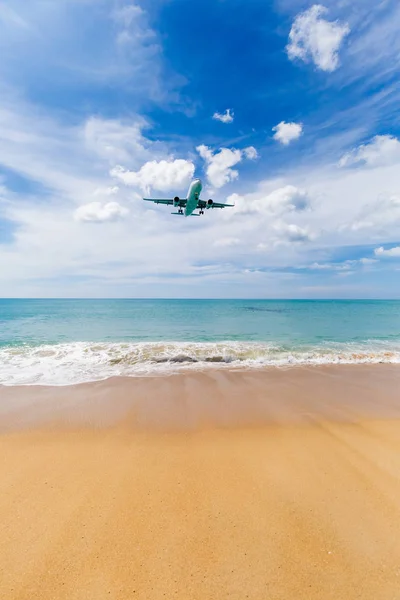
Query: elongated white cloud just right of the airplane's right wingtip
x=285 y=199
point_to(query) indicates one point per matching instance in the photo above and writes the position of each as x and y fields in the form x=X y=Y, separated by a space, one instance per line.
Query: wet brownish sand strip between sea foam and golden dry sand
x=209 y=399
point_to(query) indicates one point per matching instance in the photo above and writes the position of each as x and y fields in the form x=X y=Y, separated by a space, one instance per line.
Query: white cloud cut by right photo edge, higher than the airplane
x=380 y=151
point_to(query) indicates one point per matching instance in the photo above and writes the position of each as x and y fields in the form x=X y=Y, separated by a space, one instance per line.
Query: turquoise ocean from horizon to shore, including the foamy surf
x=62 y=342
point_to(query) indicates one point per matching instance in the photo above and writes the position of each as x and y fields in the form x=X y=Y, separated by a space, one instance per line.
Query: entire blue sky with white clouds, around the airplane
x=287 y=108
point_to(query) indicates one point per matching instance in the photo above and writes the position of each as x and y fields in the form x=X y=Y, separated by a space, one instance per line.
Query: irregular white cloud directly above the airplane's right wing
x=219 y=164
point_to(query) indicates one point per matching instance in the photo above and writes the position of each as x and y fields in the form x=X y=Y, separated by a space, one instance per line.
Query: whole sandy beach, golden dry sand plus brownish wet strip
x=261 y=485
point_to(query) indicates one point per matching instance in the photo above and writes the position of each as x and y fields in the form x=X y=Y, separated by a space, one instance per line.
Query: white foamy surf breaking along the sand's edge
x=71 y=363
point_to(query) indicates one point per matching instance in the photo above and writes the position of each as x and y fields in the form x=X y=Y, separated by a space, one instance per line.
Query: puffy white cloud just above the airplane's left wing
x=163 y=175
